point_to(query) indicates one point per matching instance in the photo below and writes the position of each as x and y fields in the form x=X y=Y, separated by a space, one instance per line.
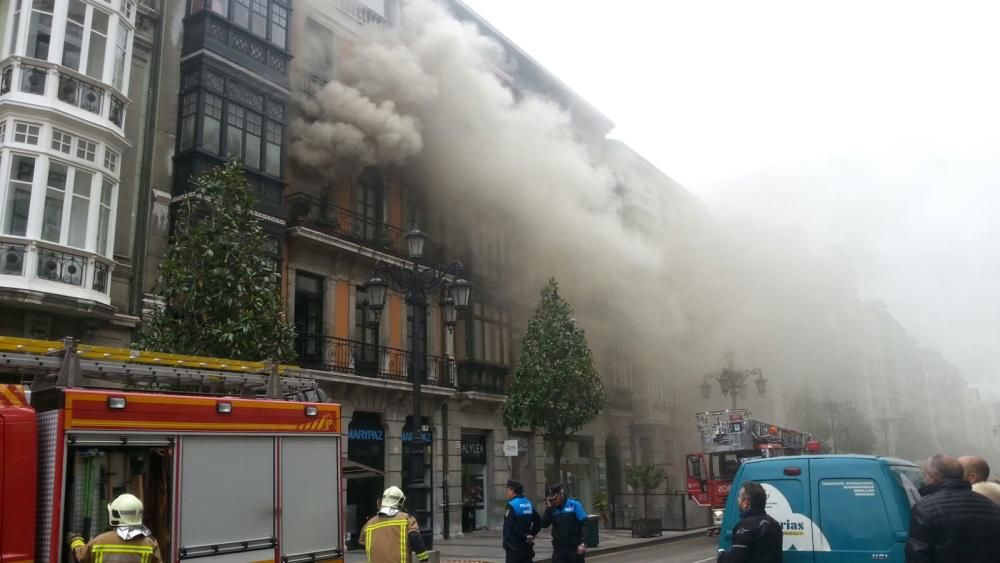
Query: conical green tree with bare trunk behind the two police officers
x=556 y=388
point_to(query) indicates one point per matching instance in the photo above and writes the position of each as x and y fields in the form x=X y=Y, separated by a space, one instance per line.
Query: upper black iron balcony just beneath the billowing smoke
x=319 y=215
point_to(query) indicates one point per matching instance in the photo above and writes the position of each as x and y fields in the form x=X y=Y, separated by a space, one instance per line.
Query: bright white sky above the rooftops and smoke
x=875 y=124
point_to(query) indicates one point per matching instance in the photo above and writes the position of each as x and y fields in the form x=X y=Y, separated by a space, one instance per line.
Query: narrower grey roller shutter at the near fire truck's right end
x=310 y=496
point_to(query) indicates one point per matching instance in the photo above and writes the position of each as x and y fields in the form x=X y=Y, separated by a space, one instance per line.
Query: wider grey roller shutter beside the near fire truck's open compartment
x=227 y=491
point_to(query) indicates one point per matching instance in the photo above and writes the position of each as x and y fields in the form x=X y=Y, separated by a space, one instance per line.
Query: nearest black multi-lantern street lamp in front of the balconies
x=416 y=283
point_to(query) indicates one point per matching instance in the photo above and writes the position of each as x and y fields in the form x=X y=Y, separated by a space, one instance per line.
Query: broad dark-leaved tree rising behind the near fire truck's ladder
x=219 y=289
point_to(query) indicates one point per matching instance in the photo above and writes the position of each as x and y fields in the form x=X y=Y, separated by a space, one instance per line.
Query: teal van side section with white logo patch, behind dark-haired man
x=786 y=482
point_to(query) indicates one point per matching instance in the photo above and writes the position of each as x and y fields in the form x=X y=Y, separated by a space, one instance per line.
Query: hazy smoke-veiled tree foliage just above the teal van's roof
x=836 y=424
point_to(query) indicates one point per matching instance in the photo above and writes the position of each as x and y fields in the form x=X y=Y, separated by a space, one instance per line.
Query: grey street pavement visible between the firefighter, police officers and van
x=615 y=545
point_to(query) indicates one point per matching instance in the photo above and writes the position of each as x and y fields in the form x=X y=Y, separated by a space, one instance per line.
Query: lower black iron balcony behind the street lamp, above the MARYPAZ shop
x=341 y=355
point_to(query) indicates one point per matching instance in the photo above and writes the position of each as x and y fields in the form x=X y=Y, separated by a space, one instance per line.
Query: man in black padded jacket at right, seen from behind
x=951 y=523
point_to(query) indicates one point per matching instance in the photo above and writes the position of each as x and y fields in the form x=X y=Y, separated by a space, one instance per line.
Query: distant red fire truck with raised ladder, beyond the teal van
x=728 y=438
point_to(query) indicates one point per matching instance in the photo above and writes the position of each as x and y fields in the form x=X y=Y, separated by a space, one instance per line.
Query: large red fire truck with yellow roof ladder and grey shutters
x=223 y=478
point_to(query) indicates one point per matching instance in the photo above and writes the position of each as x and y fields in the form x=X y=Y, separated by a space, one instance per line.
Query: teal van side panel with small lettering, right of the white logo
x=855 y=511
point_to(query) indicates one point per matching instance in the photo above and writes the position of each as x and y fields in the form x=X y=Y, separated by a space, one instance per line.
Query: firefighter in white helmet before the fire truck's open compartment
x=128 y=542
